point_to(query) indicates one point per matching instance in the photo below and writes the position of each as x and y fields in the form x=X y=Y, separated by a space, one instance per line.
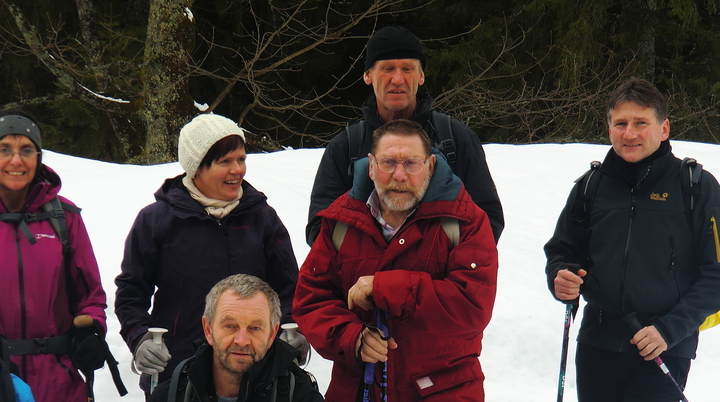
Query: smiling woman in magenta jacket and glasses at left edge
x=45 y=287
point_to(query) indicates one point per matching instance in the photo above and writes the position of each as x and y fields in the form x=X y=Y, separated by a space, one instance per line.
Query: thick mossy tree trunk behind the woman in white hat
x=167 y=102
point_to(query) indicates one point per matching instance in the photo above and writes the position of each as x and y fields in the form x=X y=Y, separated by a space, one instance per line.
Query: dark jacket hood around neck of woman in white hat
x=183 y=205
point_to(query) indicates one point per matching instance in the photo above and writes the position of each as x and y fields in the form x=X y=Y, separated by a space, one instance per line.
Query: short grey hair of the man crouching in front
x=243 y=286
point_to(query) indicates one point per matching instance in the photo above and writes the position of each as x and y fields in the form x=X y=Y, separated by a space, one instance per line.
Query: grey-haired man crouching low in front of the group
x=241 y=359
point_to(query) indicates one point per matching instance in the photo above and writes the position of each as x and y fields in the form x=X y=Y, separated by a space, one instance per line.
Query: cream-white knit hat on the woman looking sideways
x=199 y=135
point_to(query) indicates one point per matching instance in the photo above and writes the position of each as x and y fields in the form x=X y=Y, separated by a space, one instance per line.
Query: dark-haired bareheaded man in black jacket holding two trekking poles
x=637 y=250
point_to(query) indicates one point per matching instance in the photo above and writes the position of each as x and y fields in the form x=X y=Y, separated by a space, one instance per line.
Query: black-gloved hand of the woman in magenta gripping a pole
x=87 y=345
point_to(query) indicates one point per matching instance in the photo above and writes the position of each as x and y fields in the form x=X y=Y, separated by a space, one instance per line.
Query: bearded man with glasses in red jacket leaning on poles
x=388 y=248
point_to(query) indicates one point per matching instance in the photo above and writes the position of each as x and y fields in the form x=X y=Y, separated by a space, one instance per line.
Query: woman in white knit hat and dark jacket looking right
x=204 y=226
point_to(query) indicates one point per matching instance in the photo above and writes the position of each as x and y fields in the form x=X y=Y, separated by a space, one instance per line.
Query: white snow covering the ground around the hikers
x=521 y=350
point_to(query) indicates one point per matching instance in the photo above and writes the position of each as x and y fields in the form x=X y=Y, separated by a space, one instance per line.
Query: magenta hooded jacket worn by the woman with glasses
x=34 y=301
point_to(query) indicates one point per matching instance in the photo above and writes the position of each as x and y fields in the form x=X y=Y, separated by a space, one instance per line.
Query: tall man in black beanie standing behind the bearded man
x=394 y=65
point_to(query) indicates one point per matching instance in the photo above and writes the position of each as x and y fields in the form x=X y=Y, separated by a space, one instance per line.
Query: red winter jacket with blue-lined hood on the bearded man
x=439 y=298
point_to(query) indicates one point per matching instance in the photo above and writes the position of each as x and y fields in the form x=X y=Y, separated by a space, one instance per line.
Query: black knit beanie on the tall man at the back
x=392 y=43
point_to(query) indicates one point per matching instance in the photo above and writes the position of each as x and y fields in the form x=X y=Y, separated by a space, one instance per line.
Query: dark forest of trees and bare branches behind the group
x=115 y=80
